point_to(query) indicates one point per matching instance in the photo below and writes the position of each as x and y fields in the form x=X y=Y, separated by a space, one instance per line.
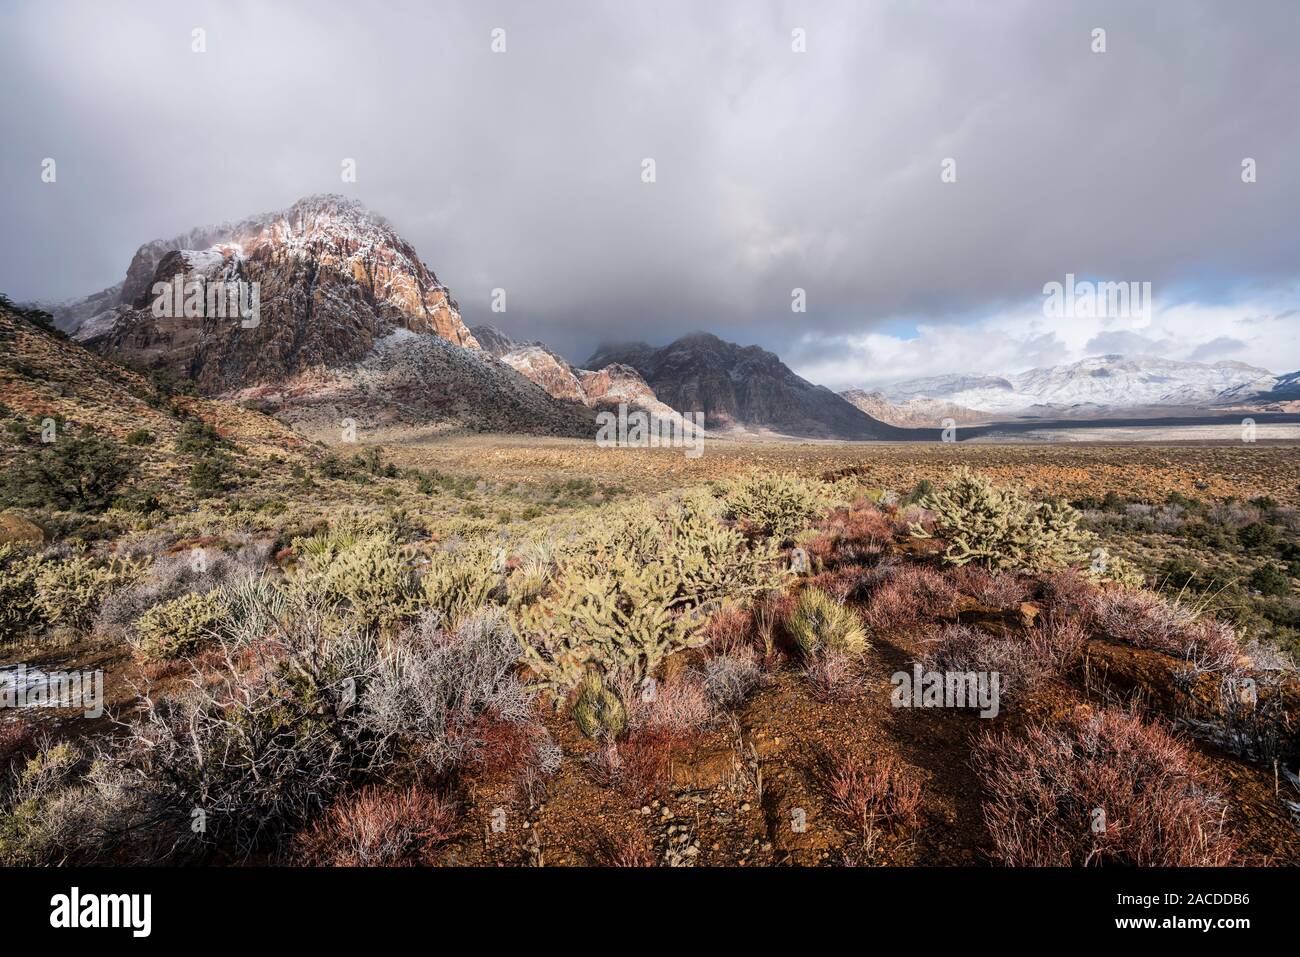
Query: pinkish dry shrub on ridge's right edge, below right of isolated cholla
x=1145 y=620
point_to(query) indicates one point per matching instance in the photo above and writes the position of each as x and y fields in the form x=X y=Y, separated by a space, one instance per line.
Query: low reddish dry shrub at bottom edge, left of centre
x=383 y=828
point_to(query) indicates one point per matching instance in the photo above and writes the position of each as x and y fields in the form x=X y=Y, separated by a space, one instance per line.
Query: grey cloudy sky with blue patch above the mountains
x=774 y=170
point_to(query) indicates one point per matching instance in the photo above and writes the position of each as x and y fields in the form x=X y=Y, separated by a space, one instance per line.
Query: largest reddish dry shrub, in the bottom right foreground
x=1100 y=789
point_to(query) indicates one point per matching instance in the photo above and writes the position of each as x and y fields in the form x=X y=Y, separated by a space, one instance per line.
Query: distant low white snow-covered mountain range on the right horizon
x=1093 y=387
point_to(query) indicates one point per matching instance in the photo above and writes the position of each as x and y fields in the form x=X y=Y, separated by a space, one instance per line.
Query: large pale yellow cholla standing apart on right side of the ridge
x=999 y=530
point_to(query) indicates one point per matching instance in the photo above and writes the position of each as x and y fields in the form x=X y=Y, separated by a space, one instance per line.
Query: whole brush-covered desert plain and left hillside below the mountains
x=508 y=651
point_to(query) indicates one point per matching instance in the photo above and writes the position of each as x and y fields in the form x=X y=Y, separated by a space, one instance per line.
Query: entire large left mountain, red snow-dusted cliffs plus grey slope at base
x=349 y=324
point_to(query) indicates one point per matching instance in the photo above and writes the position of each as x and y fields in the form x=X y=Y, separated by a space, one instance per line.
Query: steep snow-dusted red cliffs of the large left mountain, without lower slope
x=333 y=279
